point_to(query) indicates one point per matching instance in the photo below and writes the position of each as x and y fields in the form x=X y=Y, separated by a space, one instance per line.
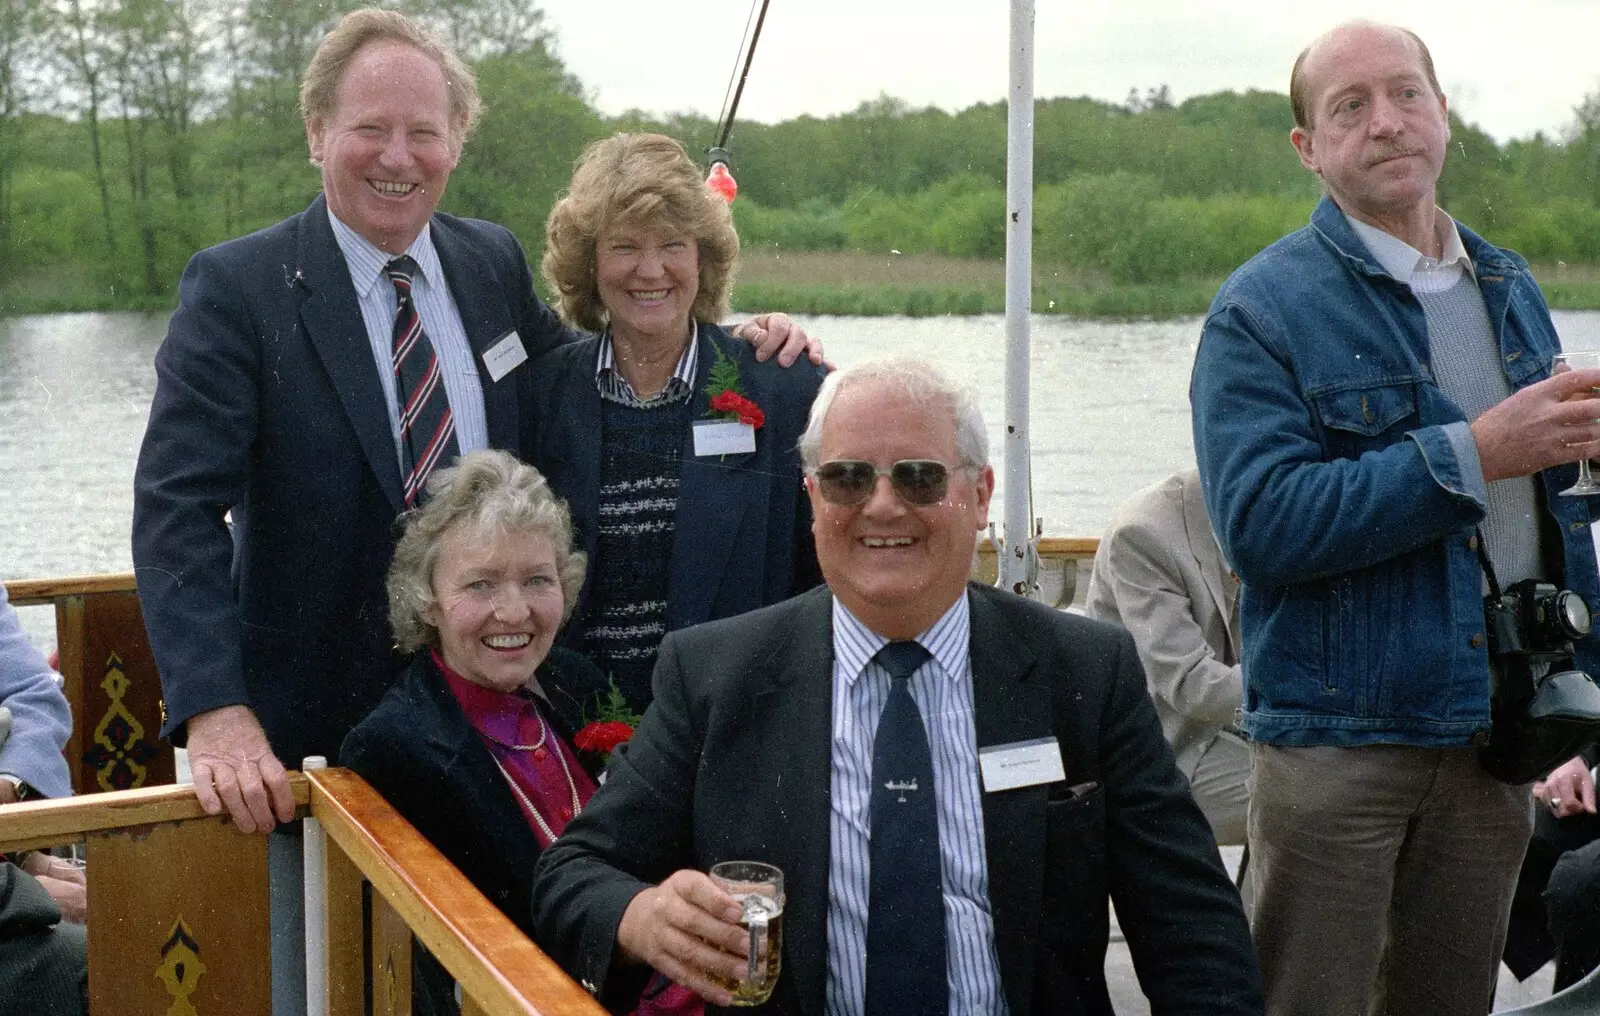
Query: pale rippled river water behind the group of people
x=1110 y=415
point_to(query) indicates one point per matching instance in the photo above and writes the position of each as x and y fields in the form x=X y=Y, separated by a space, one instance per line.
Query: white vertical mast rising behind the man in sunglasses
x=1018 y=564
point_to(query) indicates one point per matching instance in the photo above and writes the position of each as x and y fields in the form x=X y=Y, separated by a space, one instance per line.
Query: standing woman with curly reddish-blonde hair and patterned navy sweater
x=679 y=529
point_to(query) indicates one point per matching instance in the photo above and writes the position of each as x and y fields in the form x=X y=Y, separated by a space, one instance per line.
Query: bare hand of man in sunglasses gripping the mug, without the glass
x=684 y=929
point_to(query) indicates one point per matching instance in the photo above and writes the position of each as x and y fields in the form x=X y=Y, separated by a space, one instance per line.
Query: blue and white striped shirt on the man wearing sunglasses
x=943 y=689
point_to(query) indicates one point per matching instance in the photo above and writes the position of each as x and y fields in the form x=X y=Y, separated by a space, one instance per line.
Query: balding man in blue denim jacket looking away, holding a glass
x=1369 y=393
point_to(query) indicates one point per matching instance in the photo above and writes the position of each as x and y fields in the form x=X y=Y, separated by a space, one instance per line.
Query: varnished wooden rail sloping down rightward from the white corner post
x=497 y=966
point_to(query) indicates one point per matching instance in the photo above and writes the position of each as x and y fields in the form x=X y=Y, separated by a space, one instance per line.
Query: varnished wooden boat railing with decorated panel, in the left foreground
x=178 y=908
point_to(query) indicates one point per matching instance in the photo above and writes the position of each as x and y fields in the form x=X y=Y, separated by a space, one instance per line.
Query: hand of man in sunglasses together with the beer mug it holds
x=719 y=935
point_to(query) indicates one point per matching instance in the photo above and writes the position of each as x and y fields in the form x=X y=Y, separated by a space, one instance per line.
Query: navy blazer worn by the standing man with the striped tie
x=268 y=404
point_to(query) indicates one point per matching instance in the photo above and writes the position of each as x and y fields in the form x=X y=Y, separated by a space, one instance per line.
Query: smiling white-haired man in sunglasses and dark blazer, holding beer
x=951 y=778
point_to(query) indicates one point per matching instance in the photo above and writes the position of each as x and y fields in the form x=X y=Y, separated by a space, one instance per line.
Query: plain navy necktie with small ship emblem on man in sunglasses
x=906 y=897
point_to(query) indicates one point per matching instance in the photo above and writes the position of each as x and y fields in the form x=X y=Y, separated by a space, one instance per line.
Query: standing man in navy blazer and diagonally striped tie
x=281 y=399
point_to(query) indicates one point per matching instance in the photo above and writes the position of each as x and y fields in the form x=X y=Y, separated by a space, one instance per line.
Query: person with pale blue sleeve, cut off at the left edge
x=44 y=945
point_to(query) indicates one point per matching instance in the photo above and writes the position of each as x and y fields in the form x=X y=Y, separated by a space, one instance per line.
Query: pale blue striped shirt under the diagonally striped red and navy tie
x=441 y=321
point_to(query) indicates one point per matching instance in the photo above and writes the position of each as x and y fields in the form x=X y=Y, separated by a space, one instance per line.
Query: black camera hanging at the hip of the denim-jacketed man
x=1542 y=708
